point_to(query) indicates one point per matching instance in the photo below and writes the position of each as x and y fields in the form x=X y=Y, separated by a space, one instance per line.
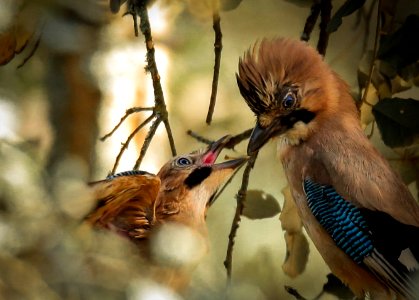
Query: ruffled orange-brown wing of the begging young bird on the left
x=125 y=203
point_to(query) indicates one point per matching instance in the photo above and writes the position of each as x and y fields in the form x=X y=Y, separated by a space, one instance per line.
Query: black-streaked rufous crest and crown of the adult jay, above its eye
x=270 y=65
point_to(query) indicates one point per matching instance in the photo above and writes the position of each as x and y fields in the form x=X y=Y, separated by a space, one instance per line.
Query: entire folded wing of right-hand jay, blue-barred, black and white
x=371 y=238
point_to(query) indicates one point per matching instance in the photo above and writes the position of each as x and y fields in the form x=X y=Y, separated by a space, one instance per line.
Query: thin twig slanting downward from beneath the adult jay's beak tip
x=241 y=198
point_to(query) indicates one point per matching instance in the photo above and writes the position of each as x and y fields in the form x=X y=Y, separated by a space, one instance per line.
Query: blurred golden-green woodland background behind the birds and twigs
x=85 y=68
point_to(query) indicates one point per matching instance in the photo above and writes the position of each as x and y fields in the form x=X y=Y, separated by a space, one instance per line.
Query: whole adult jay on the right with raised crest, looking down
x=334 y=172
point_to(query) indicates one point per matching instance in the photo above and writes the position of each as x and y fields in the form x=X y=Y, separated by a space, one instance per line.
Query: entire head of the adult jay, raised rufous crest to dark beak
x=289 y=87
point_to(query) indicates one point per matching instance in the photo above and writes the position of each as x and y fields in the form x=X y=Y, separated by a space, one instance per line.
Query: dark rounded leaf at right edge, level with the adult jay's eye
x=397 y=120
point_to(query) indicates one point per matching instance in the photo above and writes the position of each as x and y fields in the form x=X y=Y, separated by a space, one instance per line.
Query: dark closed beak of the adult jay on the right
x=260 y=136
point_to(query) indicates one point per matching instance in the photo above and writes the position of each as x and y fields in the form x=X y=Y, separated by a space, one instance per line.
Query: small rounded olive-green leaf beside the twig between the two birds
x=260 y=205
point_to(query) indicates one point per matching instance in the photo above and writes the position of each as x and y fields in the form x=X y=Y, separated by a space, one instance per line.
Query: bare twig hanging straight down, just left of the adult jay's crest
x=218 y=46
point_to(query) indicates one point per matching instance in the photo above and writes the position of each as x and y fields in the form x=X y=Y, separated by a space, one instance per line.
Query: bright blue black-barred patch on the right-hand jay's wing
x=341 y=219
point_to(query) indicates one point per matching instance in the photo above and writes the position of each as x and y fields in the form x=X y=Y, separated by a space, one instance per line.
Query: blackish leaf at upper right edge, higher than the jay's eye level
x=401 y=48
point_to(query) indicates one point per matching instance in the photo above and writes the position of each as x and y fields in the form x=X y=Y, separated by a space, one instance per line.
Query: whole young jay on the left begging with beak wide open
x=137 y=204
